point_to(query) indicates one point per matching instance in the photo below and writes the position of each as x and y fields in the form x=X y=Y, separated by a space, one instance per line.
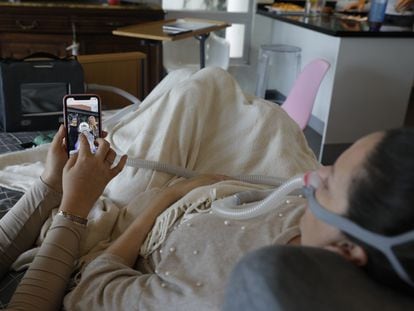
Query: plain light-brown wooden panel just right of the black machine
x=122 y=70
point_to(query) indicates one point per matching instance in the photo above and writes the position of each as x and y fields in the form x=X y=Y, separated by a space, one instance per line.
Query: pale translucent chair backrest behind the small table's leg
x=186 y=53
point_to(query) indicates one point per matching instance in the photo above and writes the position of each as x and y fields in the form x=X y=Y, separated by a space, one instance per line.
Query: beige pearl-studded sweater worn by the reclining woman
x=189 y=270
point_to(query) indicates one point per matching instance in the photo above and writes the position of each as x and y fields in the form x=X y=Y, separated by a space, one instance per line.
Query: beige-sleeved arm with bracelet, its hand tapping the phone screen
x=44 y=284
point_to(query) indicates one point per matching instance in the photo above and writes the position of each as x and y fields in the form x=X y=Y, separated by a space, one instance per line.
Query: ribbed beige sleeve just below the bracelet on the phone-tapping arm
x=44 y=284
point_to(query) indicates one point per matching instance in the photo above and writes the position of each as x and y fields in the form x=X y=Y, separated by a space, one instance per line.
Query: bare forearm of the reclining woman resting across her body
x=127 y=246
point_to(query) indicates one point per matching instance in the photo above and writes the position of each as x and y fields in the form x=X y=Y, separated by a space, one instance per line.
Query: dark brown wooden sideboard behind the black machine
x=28 y=27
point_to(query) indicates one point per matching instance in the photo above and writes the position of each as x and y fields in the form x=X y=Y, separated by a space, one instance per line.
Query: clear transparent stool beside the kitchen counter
x=277 y=70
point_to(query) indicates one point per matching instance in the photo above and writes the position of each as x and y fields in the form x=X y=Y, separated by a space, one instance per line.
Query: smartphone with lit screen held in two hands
x=82 y=116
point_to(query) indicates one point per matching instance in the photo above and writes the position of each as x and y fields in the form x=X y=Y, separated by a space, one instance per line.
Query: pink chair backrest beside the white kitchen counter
x=301 y=98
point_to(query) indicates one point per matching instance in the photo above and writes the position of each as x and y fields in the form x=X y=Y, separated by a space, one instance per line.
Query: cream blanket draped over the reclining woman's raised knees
x=201 y=121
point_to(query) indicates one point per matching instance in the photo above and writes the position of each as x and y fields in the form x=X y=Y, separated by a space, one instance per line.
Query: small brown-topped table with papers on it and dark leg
x=154 y=31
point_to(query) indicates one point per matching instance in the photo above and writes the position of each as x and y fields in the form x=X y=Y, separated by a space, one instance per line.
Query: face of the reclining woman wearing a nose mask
x=333 y=192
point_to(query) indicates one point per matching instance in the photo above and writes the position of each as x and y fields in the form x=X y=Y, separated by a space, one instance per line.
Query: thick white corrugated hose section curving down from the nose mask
x=230 y=207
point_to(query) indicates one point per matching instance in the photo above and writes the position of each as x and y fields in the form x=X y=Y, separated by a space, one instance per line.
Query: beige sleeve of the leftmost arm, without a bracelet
x=20 y=227
